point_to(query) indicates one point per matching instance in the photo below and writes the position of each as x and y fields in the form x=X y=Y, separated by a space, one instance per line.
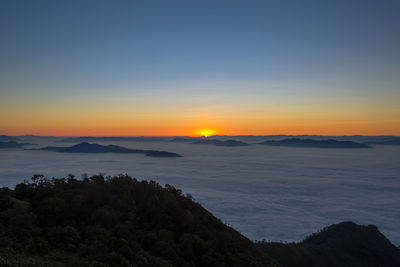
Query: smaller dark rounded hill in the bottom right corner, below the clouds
x=341 y=245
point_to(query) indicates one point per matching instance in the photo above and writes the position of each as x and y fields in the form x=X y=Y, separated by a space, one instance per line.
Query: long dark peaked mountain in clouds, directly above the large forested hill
x=96 y=148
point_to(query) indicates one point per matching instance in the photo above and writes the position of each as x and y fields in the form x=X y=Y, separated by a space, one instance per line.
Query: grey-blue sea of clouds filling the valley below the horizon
x=272 y=193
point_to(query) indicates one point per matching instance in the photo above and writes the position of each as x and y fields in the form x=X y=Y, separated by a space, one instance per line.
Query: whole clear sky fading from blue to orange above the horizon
x=173 y=67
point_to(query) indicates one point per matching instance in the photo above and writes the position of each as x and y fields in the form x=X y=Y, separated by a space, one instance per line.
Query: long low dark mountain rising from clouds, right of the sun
x=330 y=143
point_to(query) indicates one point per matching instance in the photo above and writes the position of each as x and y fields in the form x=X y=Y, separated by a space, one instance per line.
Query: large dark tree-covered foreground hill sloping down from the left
x=115 y=221
